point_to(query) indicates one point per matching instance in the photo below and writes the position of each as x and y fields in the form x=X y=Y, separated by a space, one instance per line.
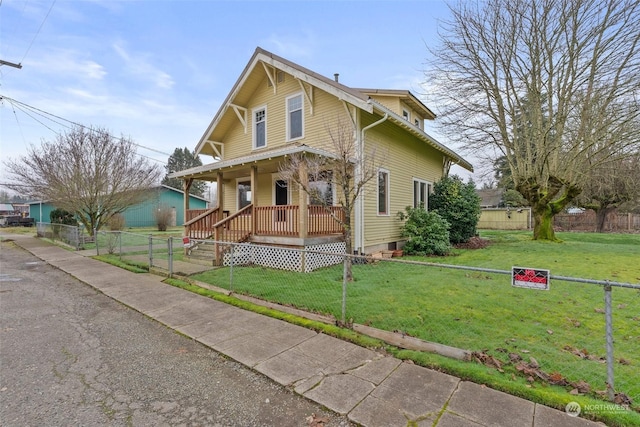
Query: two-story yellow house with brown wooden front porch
x=278 y=109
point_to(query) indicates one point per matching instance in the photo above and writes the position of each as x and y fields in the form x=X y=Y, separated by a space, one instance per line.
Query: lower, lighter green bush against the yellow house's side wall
x=427 y=233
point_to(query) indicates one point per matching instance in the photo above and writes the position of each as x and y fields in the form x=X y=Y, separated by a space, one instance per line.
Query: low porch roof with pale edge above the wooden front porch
x=267 y=162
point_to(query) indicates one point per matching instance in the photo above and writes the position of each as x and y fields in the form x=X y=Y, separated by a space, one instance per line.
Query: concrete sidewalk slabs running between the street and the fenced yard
x=370 y=388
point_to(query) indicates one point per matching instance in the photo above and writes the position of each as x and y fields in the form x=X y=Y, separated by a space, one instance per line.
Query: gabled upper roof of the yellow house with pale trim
x=358 y=97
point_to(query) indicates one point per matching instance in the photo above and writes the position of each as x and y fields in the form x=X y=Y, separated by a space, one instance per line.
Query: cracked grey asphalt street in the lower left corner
x=71 y=356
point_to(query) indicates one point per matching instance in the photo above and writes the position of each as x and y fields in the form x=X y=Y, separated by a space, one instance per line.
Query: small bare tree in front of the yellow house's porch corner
x=346 y=167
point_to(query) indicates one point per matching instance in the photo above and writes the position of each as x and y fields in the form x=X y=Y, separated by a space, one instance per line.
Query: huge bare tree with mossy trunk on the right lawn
x=542 y=83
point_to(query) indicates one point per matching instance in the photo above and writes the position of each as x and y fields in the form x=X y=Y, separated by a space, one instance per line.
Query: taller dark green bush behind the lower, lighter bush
x=459 y=204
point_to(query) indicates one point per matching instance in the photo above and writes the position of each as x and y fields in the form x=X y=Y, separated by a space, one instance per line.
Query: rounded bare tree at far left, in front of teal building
x=86 y=172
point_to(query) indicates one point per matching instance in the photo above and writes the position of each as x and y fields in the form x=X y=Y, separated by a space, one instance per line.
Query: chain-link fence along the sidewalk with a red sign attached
x=577 y=333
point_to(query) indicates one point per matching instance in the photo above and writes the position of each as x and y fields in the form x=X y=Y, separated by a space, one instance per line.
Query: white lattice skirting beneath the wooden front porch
x=287 y=258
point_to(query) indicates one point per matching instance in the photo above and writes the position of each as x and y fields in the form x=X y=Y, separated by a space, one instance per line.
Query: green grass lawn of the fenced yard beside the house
x=563 y=328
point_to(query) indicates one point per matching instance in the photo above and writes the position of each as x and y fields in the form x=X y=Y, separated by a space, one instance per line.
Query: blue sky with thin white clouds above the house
x=157 y=71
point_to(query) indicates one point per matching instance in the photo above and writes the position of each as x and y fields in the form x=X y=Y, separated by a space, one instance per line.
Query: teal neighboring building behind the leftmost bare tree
x=140 y=215
